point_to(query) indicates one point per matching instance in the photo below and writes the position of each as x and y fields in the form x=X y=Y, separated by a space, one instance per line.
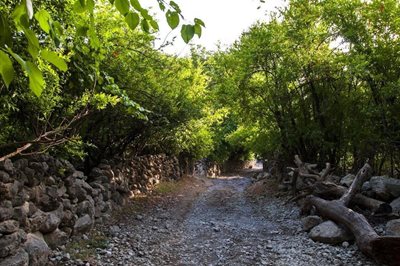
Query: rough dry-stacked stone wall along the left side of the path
x=44 y=201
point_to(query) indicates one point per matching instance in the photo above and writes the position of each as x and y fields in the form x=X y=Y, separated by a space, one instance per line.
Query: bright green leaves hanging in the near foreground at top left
x=22 y=18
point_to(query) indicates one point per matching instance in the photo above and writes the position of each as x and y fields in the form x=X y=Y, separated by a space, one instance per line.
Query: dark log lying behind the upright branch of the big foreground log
x=328 y=190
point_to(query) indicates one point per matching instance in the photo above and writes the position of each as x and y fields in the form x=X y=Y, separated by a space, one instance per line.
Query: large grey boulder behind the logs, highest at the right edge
x=385 y=188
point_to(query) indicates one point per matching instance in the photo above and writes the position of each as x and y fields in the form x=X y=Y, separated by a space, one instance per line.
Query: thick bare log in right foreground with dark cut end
x=383 y=249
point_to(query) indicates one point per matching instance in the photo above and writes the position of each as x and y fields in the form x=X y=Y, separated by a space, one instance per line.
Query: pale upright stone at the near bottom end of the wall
x=37 y=249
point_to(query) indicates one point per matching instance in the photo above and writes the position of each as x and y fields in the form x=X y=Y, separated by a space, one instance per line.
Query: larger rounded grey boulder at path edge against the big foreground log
x=330 y=233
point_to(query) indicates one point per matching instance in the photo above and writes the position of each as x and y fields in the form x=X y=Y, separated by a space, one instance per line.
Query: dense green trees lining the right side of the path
x=318 y=80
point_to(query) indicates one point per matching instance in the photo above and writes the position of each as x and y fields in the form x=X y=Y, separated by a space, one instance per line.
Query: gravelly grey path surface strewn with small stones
x=208 y=222
